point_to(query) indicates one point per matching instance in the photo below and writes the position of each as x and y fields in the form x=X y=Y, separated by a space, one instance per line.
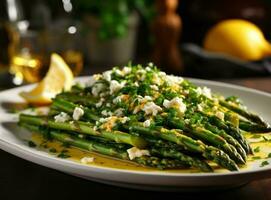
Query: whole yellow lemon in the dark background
x=238 y=38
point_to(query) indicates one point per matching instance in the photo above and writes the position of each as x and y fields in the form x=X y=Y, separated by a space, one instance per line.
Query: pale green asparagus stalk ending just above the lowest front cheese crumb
x=84 y=127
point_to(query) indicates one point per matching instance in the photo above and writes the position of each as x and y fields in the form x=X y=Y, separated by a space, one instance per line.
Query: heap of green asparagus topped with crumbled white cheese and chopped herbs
x=145 y=116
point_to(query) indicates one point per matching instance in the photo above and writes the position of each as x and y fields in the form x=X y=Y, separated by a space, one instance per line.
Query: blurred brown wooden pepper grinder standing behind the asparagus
x=166 y=29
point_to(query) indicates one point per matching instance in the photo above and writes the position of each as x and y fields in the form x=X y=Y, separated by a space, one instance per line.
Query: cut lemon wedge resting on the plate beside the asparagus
x=58 y=78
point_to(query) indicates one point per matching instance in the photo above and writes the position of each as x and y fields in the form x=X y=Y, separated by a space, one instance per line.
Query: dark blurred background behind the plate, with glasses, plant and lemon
x=206 y=39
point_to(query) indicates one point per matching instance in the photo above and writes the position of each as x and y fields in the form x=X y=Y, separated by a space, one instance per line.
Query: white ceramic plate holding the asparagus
x=12 y=140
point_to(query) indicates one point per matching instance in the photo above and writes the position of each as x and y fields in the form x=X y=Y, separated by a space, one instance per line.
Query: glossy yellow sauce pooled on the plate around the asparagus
x=260 y=143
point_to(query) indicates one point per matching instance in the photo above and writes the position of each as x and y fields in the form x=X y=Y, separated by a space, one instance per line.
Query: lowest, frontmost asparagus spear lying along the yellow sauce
x=161 y=163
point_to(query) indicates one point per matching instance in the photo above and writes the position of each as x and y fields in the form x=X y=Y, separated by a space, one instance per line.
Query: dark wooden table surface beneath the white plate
x=20 y=179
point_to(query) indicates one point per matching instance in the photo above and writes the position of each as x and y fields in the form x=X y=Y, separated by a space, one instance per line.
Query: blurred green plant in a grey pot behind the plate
x=112 y=28
